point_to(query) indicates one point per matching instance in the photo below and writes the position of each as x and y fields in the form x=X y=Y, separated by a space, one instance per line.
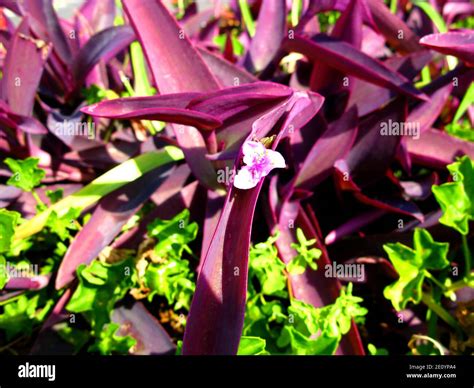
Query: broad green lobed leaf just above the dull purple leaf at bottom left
x=101 y=286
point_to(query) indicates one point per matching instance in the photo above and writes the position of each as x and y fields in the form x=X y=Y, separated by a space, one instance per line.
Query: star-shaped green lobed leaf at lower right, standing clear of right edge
x=412 y=265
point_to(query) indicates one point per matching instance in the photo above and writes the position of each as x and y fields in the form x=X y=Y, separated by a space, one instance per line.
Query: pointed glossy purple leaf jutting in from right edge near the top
x=457 y=43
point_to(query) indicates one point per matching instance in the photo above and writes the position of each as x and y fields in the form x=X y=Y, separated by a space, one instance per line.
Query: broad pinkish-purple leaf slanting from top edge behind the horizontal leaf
x=177 y=67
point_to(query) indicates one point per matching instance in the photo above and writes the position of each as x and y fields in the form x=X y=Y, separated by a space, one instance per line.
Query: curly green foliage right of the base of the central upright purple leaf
x=290 y=326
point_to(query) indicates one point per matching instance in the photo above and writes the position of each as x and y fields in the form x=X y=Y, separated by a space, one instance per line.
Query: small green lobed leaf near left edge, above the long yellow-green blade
x=26 y=174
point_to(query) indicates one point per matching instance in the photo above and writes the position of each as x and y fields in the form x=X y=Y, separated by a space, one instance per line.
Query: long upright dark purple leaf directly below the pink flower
x=217 y=311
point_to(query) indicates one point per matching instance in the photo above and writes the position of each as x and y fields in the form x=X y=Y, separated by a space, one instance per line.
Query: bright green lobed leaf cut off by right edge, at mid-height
x=455 y=198
